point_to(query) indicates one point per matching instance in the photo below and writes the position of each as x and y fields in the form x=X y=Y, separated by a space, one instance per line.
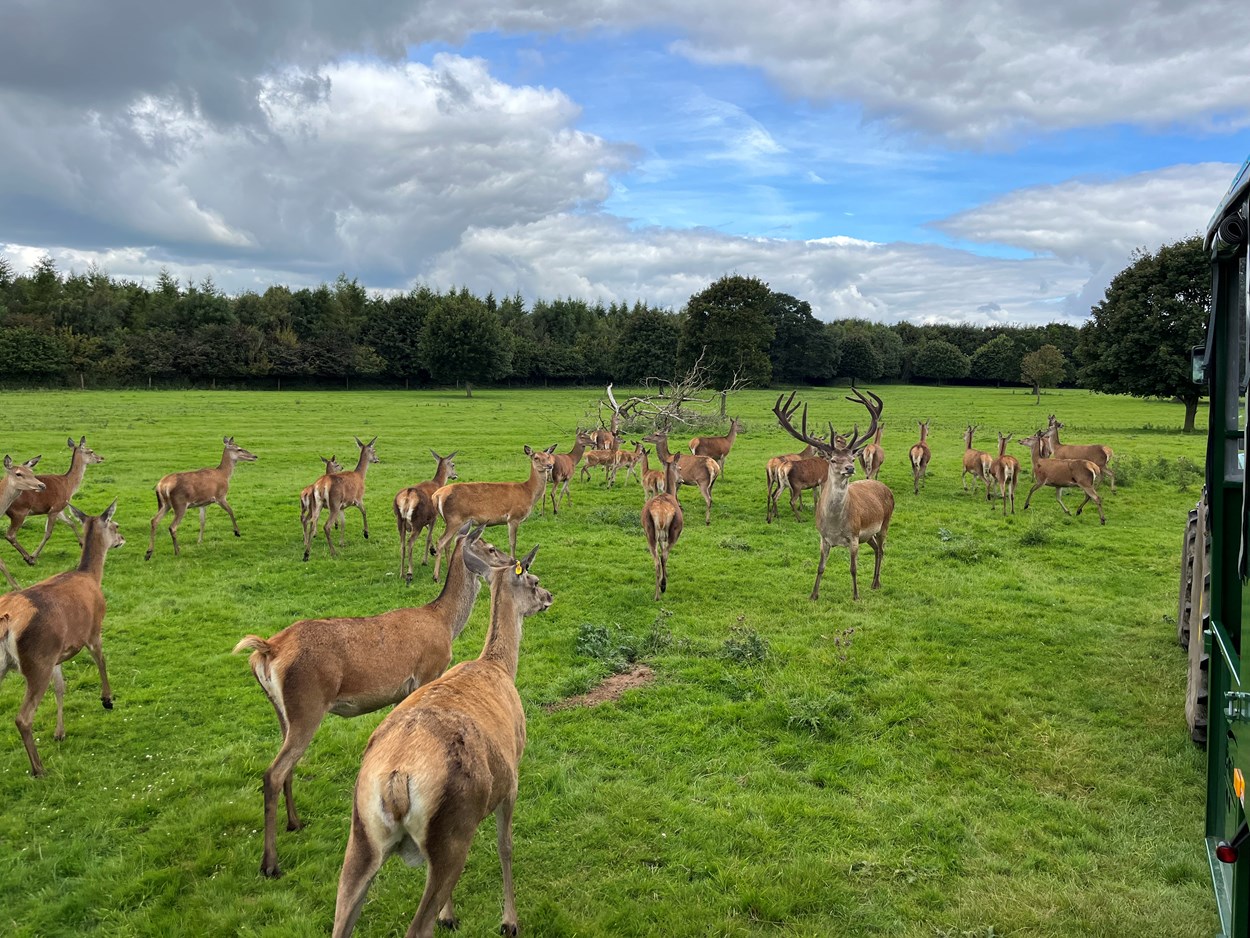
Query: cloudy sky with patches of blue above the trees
x=931 y=161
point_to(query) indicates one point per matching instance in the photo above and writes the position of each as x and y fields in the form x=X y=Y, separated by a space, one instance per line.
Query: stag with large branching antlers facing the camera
x=847 y=512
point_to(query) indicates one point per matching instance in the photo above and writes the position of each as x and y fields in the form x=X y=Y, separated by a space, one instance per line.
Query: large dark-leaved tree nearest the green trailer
x=1141 y=336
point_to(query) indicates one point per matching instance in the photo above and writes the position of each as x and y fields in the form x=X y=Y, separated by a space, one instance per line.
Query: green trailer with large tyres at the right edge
x=1214 y=575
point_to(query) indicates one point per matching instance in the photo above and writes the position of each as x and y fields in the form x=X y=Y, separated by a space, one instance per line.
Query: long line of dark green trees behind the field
x=58 y=328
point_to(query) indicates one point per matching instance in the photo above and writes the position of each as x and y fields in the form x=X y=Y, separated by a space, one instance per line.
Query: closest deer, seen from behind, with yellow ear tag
x=442 y=762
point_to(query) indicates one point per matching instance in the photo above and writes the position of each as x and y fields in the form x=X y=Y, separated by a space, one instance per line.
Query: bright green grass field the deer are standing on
x=993 y=745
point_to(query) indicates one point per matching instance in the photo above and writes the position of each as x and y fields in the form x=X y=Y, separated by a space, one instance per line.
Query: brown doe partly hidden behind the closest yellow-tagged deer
x=353 y=666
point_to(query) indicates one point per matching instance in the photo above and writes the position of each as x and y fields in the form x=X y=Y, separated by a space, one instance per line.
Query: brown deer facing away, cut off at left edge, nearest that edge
x=44 y=626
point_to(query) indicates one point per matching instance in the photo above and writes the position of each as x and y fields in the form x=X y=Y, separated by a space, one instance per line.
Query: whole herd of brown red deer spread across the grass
x=447 y=756
